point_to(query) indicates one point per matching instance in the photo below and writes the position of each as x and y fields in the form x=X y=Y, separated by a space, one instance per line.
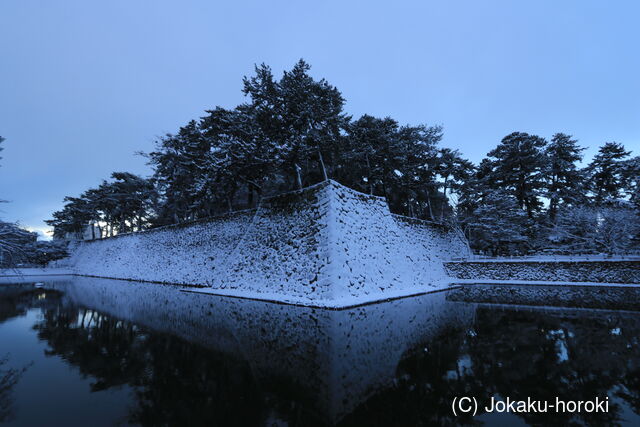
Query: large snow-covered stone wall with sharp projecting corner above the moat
x=325 y=245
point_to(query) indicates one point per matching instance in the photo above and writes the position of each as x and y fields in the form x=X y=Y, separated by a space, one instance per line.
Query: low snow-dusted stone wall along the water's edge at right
x=556 y=271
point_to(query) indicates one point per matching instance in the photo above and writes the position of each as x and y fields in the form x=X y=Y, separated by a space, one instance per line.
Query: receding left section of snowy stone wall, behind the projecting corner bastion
x=189 y=254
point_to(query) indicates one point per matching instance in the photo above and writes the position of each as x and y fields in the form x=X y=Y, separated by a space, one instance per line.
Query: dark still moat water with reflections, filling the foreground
x=86 y=351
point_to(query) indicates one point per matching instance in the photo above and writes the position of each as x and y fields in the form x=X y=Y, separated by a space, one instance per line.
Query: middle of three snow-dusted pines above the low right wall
x=564 y=183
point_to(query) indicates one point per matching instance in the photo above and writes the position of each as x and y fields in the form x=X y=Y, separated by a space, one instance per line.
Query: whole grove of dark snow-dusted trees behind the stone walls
x=528 y=195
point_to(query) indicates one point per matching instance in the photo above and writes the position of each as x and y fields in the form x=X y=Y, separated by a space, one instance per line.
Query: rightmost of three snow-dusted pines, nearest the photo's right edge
x=606 y=173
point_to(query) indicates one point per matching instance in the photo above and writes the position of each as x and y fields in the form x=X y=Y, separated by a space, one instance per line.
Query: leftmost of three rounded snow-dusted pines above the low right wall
x=518 y=167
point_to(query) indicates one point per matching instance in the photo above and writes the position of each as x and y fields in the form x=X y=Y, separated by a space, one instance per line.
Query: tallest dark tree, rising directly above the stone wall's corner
x=302 y=116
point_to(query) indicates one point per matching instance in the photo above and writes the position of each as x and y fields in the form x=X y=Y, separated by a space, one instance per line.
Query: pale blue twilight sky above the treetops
x=85 y=85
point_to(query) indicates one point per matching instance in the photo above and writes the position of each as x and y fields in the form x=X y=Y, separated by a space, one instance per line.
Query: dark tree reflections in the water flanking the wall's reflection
x=519 y=353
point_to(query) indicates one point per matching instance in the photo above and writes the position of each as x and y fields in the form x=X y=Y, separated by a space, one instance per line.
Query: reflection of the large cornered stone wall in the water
x=336 y=359
